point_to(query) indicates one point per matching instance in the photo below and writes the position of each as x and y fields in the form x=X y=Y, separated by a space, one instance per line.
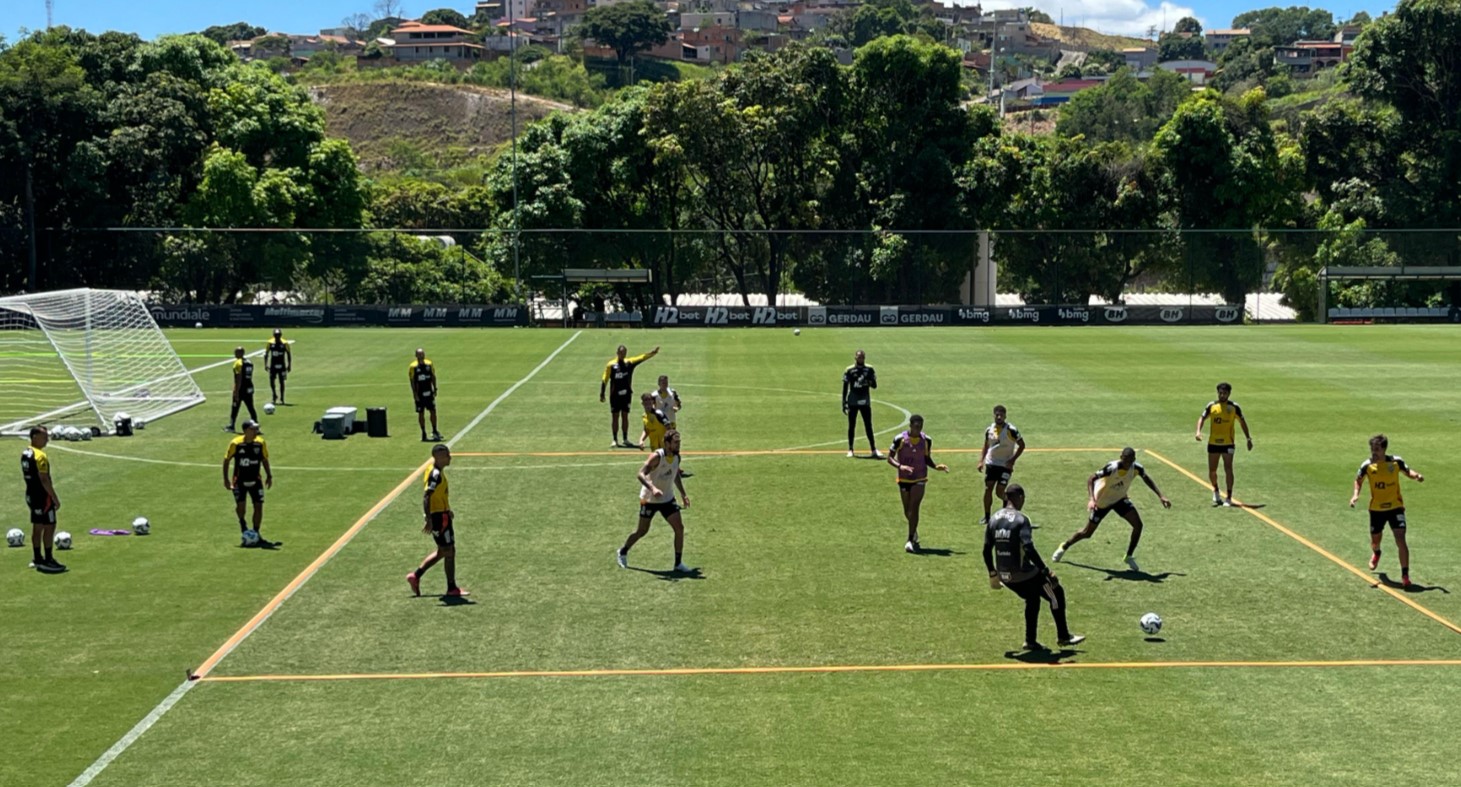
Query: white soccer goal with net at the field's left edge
x=80 y=357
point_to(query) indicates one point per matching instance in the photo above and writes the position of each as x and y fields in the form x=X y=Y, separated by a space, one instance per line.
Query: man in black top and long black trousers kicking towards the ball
x=1012 y=558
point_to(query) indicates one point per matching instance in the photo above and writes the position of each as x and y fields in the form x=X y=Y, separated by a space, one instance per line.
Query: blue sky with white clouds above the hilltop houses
x=151 y=18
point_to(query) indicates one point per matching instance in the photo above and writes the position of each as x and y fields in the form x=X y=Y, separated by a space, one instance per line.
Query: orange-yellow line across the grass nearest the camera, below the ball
x=839 y=668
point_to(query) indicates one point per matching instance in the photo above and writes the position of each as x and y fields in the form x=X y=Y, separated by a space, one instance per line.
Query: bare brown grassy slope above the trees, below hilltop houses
x=440 y=120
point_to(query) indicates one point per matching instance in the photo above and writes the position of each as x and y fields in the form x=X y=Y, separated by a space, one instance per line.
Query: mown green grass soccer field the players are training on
x=809 y=648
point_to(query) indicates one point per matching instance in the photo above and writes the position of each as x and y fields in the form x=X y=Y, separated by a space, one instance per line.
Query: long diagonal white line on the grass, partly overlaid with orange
x=284 y=596
